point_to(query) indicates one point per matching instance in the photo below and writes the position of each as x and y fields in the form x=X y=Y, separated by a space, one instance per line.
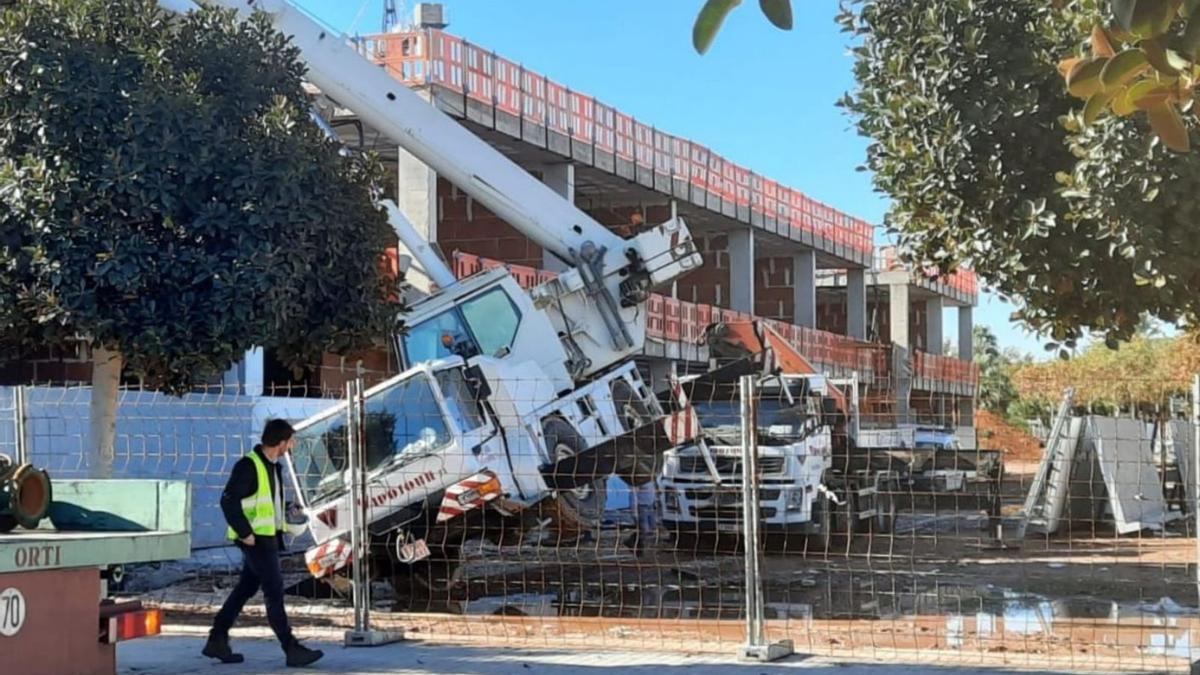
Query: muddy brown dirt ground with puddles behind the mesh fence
x=941 y=588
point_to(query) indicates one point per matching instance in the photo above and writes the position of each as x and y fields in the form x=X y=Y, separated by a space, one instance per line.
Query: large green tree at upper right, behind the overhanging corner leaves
x=1088 y=228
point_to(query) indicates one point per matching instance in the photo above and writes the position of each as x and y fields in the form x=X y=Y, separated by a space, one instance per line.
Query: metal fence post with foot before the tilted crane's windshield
x=362 y=636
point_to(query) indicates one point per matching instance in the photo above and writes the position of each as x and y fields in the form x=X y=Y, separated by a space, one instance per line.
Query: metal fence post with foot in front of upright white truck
x=757 y=648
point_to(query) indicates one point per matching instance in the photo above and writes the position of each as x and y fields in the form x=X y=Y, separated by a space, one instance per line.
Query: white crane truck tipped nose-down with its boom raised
x=509 y=399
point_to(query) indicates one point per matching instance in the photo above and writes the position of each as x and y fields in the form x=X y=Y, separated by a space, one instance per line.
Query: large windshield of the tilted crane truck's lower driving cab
x=403 y=421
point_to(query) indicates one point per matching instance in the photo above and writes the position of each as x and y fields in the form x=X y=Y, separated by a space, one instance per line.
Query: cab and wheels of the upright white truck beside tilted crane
x=815 y=483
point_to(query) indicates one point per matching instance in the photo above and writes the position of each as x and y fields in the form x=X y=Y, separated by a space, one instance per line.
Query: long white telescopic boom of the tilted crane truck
x=613 y=276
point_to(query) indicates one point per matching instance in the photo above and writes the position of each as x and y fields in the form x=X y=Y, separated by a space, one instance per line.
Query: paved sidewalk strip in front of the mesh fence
x=182 y=655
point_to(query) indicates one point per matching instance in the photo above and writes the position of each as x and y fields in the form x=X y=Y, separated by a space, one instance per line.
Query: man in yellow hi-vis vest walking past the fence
x=253 y=504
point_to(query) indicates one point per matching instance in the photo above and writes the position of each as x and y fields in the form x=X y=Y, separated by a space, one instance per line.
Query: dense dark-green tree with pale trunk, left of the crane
x=166 y=198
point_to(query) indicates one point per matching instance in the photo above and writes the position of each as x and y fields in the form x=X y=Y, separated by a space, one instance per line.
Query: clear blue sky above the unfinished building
x=761 y=97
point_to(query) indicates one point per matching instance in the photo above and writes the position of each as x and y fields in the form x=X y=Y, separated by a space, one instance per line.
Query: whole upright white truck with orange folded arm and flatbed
x=824 y=474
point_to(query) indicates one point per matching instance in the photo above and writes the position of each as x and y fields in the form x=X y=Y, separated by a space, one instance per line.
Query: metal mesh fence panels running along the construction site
x=879 y=537
